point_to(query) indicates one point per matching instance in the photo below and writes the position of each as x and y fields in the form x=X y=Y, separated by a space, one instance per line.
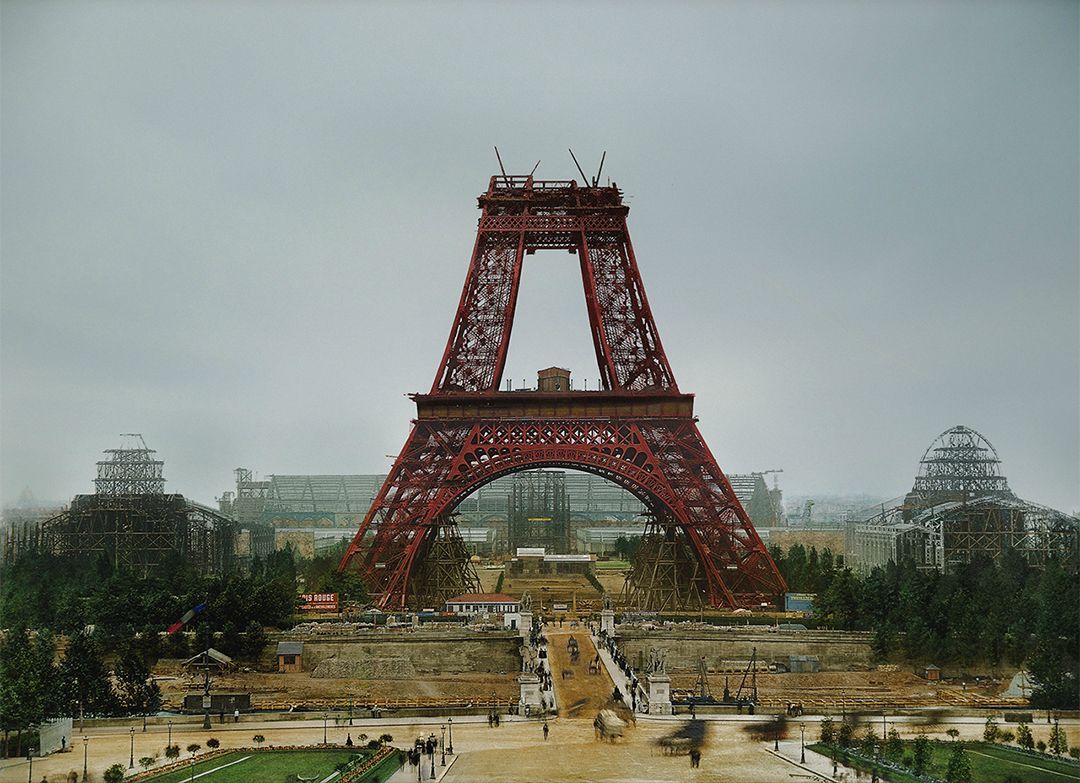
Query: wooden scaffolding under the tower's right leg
x=667 y=576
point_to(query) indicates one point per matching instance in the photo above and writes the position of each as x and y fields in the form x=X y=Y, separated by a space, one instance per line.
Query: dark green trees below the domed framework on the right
x=1007 y=615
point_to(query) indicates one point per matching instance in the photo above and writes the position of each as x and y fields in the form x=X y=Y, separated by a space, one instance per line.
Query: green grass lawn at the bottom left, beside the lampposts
x=268 y=766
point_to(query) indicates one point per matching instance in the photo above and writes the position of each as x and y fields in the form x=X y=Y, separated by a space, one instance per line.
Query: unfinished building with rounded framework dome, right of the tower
x=961 y=507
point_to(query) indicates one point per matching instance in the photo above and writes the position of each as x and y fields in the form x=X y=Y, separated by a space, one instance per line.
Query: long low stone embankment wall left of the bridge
x=404 y=655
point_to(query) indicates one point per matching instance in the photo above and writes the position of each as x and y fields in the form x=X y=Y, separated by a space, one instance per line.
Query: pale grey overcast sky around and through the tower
x=241 y=228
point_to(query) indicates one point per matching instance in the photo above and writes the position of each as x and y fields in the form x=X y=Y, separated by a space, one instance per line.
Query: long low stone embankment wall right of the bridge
x=727 y=649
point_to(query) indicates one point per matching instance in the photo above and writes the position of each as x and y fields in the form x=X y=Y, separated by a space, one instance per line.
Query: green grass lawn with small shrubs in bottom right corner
x=990 y=764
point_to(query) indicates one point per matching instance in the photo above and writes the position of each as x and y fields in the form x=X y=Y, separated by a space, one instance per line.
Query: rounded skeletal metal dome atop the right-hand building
x=961 y=464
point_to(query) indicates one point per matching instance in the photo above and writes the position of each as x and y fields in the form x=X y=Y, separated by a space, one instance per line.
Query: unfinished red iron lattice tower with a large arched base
x=638 y=431
